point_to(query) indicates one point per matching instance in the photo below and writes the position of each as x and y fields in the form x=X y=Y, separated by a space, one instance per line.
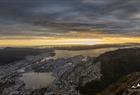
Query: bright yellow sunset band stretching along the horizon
x=62 y=41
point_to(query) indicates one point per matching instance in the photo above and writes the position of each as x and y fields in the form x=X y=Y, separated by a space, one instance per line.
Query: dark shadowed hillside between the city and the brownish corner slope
x=114 y=65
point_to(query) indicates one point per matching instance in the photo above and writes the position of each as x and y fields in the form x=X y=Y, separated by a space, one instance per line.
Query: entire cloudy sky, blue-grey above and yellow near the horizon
x=69 y=19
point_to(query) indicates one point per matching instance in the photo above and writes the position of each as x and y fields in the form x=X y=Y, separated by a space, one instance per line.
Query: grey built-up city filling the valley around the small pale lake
x=68 y=75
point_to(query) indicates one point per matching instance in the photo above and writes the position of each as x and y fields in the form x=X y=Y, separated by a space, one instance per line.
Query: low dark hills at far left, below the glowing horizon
x=10 y=55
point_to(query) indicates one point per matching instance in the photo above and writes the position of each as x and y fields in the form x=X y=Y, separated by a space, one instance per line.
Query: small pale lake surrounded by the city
x=37 y=80
